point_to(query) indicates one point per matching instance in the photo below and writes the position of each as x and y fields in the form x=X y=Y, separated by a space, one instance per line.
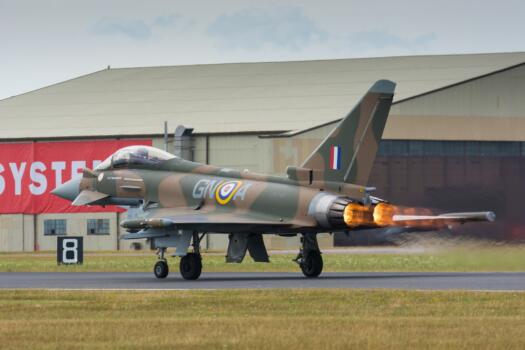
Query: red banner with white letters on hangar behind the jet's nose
x=30 y=171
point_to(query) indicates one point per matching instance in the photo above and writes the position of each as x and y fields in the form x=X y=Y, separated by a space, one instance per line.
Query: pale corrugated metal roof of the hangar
x=223 y=98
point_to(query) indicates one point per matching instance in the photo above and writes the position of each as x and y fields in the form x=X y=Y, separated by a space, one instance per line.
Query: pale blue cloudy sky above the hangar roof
x=45 y=42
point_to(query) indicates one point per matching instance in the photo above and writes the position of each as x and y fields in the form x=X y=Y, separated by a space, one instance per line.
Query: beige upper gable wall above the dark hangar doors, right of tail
x=490 y=108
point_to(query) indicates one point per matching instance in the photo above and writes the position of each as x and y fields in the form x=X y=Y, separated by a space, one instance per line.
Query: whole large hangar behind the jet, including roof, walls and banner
x=455 y=139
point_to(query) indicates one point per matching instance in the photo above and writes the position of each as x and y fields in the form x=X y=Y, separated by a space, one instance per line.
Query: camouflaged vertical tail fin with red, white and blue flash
x=347 y=154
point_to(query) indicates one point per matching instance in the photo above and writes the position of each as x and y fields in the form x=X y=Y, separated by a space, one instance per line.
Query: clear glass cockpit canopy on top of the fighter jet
x=134 y=155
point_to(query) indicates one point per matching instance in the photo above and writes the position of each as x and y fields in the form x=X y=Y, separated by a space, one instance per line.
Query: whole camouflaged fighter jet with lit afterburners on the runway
x=184 y=200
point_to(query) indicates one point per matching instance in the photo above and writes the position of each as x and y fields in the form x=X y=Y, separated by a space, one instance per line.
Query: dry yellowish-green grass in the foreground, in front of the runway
x=262 y=319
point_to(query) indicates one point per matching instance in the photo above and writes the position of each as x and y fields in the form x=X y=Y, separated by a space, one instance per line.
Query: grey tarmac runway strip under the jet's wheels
x=494 y=281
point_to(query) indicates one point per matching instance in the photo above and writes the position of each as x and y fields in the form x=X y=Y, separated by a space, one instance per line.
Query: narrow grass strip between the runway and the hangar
x=499 y=258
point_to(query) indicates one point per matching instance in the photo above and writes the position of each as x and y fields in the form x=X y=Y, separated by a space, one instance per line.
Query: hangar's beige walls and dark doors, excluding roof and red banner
x=487 y=112
